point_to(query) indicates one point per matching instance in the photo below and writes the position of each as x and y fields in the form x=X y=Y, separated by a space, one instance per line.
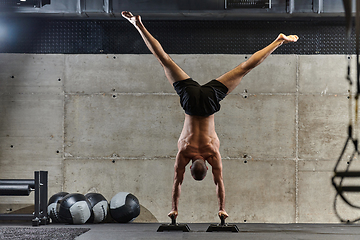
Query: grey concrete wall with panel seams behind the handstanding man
x=110 y=123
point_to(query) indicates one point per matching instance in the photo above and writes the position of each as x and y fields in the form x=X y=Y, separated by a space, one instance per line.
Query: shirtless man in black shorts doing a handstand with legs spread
x=198 y=141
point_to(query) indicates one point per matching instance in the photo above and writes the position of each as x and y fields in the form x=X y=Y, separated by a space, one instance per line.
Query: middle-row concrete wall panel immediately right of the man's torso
x=259 y=126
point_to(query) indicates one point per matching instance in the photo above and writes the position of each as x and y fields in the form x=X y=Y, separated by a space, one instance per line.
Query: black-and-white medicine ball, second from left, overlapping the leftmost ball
x=74 y=209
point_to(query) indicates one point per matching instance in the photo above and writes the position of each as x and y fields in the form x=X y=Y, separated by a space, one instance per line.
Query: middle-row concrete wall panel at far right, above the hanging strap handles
x=323 y=124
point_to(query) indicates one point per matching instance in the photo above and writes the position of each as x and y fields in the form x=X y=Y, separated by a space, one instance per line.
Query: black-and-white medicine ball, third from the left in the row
x=99 y=206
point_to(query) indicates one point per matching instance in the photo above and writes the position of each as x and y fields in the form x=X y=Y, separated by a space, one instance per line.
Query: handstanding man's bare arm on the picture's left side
x=179 y=169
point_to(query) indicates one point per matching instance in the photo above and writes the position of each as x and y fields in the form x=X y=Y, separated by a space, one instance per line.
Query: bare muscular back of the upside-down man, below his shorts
x=198 y=139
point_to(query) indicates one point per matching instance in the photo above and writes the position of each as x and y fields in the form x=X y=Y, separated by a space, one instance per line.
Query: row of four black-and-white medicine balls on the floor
x=76 y=208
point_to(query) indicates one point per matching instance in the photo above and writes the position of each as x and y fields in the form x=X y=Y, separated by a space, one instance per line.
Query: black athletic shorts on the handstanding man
x=200 y=100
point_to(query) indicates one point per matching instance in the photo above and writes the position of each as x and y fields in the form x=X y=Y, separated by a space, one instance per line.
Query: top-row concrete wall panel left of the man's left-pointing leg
x=115 y=73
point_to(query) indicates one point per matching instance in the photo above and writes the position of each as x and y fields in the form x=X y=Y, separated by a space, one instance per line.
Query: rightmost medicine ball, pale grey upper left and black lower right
x=124 y=207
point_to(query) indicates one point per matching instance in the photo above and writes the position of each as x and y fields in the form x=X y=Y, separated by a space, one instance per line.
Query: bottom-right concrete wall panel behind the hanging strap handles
x=317 y=195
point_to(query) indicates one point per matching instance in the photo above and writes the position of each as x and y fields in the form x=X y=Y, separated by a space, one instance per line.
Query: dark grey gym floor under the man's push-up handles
x=247 y=231
